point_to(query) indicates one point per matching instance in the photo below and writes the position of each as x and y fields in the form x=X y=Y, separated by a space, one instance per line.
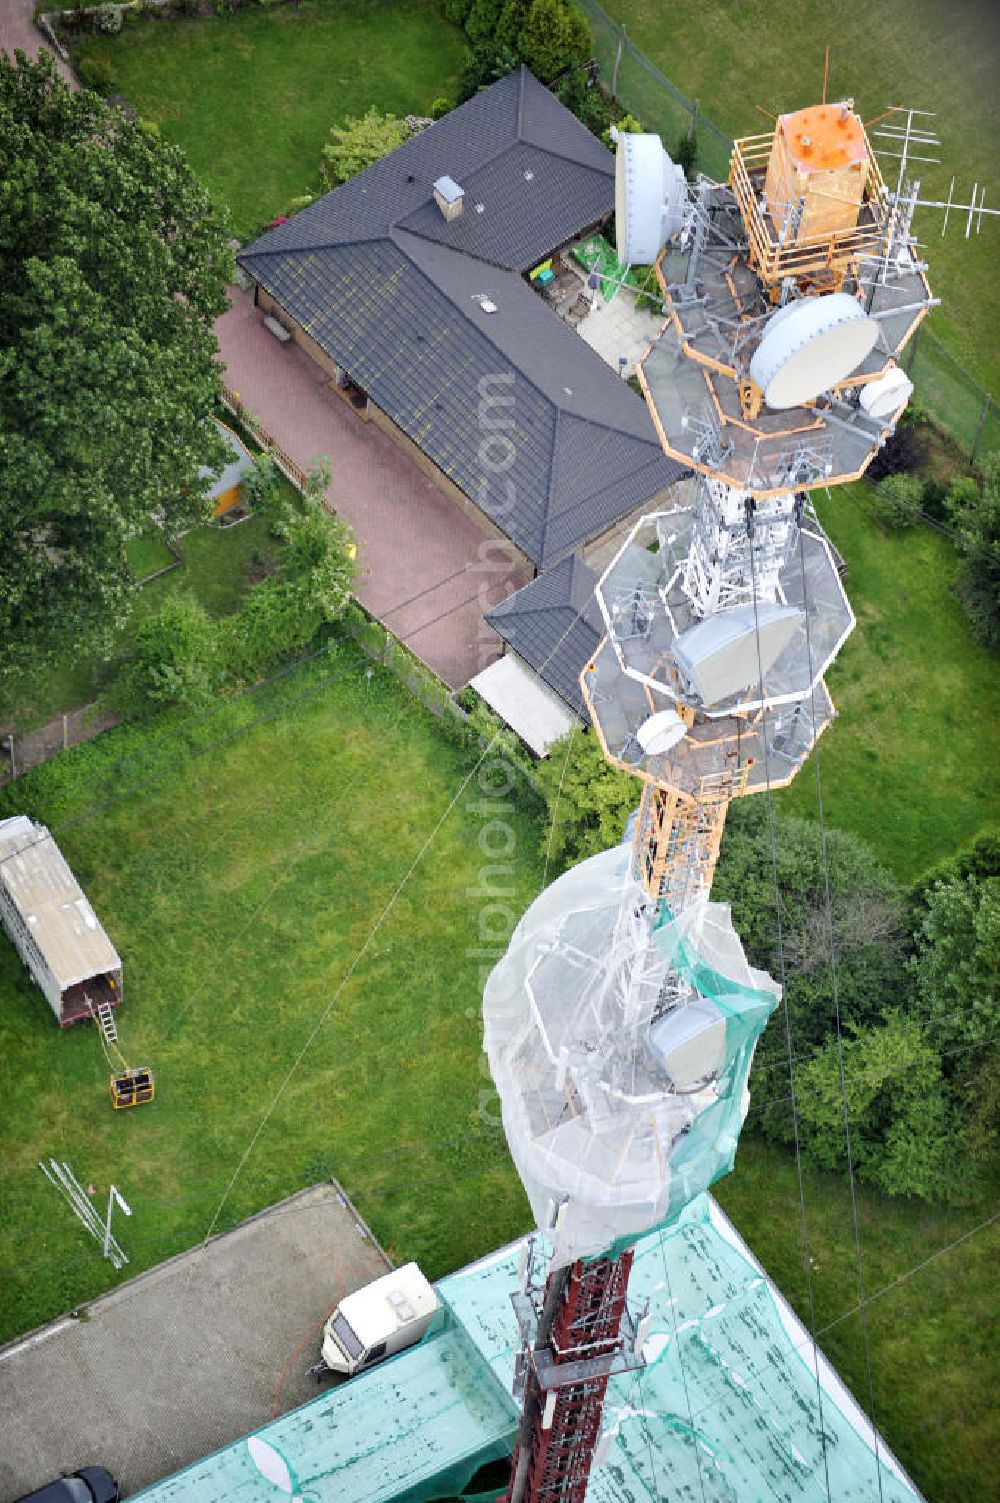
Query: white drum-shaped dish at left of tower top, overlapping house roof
x=650 y=198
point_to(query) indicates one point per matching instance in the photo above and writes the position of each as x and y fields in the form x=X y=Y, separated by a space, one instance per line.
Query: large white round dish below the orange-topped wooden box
x=810 y=346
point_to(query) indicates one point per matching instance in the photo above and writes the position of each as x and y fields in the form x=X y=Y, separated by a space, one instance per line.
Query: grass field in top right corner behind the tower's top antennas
x=929 y=55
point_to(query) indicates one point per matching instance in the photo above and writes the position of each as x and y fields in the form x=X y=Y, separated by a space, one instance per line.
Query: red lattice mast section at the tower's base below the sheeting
x=572 y=1344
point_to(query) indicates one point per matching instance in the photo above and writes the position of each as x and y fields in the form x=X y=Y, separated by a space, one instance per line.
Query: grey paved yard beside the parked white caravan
x=187 y=1356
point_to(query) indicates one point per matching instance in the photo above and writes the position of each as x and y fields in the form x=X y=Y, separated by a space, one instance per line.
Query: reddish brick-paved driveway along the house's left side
x=428 y=569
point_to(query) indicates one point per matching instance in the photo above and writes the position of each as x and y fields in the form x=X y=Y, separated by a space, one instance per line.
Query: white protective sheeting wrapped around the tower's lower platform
x=605 y=1140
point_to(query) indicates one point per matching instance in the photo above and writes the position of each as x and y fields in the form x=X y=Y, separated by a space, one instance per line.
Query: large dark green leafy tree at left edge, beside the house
x=115 y=268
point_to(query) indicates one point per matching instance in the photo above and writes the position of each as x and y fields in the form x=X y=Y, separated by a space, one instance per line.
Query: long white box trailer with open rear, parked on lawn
x=53 y=927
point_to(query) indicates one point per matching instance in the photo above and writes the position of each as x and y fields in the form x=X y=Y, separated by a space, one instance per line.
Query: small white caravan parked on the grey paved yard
x=378 y=1322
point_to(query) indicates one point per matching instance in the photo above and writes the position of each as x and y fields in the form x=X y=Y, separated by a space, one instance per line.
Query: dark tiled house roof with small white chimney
x=410 y=288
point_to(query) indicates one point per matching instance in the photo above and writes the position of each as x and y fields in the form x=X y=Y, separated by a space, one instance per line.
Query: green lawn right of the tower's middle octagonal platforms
x=914 y=761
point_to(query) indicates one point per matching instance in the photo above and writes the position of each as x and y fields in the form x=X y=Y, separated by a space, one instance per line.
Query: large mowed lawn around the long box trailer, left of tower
x=241 y=888
